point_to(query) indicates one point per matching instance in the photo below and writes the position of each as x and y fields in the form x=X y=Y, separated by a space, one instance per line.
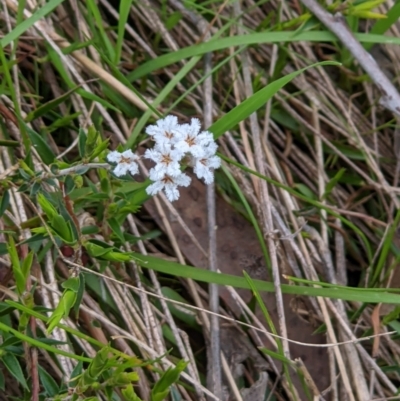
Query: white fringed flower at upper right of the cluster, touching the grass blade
x=193 y=141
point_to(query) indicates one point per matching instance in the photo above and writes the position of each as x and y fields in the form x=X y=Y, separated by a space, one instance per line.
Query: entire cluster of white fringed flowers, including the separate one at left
x=173 y=143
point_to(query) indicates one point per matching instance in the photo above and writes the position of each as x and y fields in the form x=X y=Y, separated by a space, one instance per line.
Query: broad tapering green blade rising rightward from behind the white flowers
x=253 y=103
